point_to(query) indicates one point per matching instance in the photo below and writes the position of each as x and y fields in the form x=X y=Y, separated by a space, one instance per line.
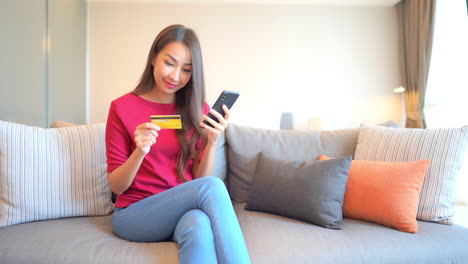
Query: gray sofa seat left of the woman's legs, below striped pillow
x=78 y=240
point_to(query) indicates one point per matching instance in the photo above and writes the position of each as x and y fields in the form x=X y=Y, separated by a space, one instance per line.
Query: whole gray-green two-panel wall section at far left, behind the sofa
x=42 y=66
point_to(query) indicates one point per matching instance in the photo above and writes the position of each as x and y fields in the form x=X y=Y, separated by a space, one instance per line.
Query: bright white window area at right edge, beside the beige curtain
x=446 y=102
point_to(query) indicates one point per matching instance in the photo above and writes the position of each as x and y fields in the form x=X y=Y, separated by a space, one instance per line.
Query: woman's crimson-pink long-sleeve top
x=157 y=172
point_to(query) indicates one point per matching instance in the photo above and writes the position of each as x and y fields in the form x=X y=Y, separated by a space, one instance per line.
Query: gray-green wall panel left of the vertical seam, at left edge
x=23 y=64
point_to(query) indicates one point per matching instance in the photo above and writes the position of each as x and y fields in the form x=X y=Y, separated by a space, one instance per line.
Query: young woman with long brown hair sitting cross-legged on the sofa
x=161 y=176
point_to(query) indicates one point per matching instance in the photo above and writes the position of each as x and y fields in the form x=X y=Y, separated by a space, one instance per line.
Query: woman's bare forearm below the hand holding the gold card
x=122 y=177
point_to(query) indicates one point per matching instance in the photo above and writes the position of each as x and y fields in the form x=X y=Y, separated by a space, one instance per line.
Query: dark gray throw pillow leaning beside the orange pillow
x=307 y=191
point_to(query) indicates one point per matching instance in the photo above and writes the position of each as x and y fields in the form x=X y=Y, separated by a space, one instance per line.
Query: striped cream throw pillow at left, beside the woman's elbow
x=52 y=173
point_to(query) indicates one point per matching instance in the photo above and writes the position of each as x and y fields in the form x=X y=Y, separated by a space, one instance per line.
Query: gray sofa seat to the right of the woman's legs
x=294 y=241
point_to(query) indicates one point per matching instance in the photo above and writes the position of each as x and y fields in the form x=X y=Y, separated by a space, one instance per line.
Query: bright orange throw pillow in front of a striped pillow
x=385 y=193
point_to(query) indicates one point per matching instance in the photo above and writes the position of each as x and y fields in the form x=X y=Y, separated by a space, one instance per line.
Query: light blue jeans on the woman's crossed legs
x=198 y=215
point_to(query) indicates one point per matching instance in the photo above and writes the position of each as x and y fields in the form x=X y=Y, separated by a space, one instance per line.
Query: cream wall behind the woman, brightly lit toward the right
x=338 y=64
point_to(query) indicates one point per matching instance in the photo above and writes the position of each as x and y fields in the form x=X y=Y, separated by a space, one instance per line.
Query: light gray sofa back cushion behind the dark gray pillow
x=245 y=143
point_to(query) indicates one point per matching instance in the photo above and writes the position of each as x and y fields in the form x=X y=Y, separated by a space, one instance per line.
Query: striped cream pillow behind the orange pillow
x=444 y=147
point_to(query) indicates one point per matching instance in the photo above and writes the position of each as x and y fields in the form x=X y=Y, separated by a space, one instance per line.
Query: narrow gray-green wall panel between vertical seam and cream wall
x=67 y=61
